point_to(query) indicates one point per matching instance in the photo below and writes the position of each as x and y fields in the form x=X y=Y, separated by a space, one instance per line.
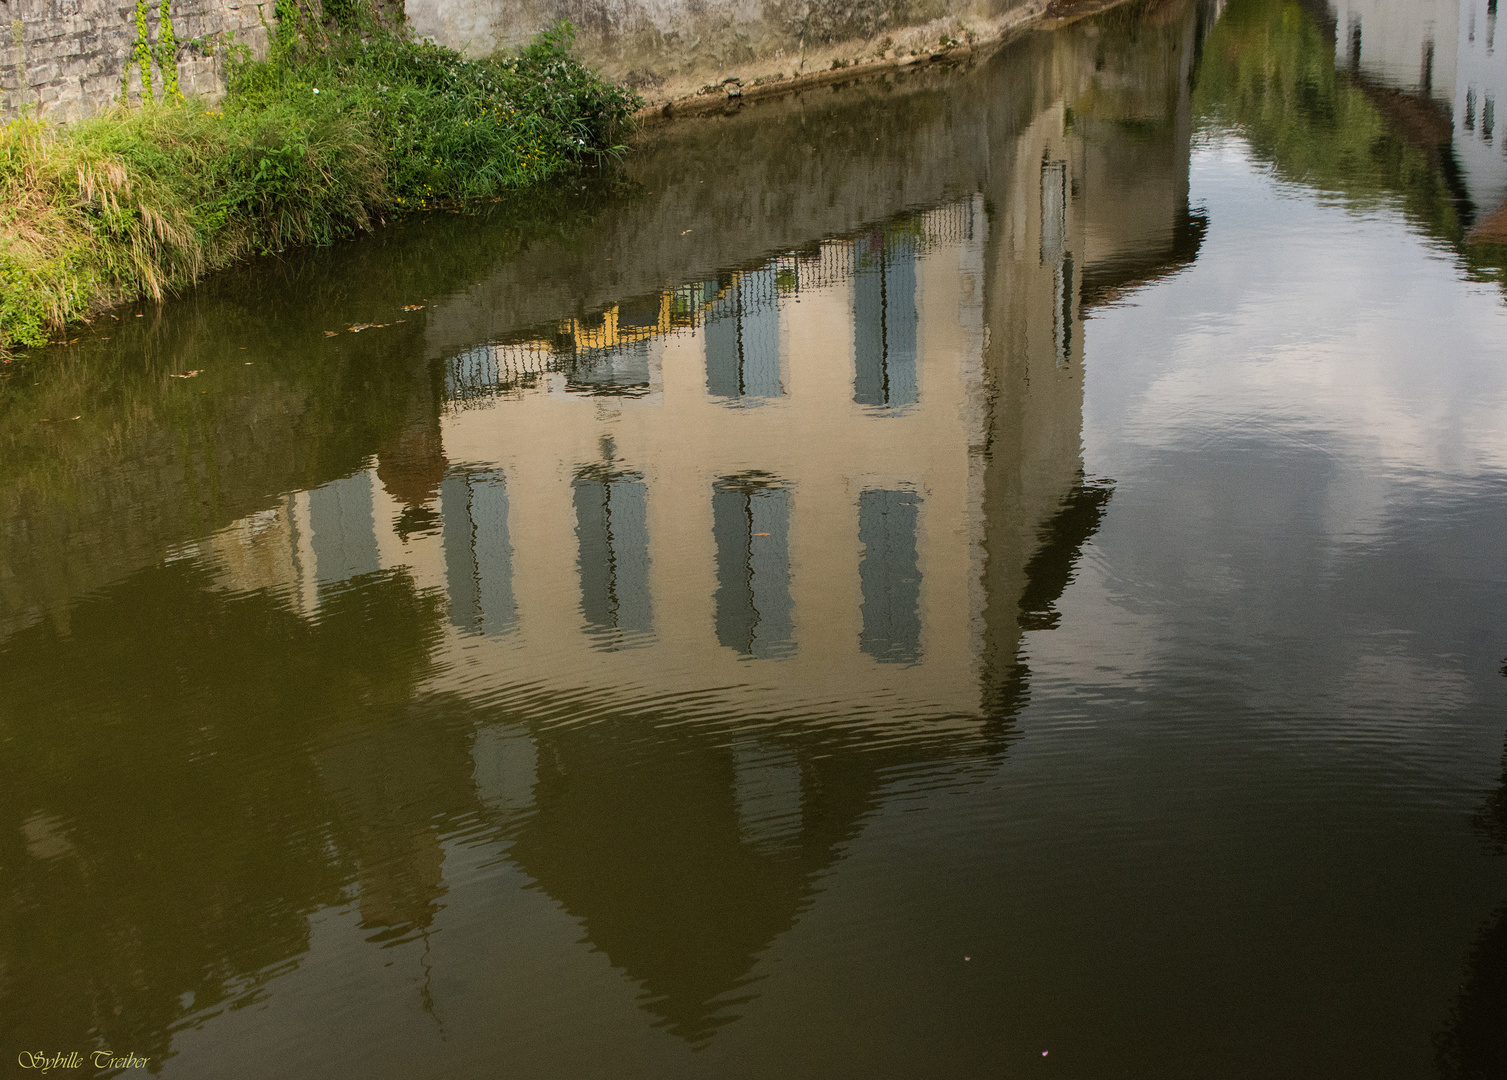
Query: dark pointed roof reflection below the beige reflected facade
x=688 y=864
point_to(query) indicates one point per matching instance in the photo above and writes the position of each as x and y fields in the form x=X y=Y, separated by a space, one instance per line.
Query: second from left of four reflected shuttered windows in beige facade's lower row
x=614 y=561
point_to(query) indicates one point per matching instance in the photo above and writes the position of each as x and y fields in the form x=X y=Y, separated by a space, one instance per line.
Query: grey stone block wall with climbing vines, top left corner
x=64 y=58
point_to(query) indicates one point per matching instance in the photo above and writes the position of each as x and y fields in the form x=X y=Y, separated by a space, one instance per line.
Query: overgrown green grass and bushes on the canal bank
x=335 y=130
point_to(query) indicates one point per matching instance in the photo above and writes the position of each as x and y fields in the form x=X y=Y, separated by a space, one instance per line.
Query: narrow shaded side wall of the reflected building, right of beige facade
x=1089 y=201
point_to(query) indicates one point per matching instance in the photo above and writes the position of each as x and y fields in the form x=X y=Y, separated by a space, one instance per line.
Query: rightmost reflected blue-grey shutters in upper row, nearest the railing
x=885 y=320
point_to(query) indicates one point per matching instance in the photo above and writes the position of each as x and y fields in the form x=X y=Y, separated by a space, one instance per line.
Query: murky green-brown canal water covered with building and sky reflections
x=989 y=572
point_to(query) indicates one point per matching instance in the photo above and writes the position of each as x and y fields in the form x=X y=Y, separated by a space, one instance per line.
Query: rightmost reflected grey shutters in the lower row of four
x=890 y=576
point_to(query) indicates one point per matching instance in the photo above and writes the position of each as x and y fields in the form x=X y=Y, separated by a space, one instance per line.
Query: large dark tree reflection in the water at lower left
x=197 y=793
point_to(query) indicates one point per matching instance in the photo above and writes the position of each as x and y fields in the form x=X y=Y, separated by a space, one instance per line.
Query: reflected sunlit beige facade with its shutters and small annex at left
x=834 y=531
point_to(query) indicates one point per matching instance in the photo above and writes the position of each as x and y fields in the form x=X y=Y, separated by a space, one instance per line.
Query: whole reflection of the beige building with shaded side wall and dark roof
x=691 y=579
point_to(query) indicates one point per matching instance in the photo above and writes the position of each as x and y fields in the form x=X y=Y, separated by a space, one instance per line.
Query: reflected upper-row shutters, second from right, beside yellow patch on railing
x=742 y=340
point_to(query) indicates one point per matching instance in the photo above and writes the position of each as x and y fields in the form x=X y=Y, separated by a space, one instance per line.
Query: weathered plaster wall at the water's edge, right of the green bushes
x=652 y=41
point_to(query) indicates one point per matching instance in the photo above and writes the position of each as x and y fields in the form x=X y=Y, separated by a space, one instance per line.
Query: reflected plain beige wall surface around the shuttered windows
x=815 y=439
